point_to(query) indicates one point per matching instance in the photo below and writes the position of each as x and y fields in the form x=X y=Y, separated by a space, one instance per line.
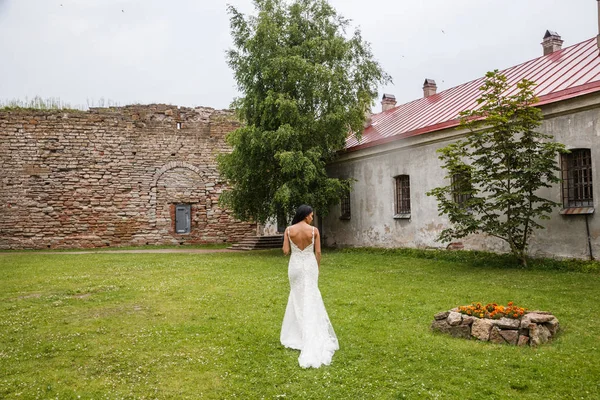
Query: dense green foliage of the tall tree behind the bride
x=305 y=86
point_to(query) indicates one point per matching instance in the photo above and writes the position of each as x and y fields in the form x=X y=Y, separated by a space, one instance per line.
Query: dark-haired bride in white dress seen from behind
x=306 y=326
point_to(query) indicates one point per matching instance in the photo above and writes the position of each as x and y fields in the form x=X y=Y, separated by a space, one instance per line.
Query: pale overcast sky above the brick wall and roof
x=157 y=51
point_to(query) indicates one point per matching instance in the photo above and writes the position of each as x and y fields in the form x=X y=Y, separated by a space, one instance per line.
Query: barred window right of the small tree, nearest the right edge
x=577 y=186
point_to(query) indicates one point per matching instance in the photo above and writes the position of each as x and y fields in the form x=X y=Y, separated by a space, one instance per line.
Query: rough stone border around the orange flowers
x=533 y=328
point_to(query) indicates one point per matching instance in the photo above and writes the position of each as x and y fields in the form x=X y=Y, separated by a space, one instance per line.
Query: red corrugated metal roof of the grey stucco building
x=570 y=72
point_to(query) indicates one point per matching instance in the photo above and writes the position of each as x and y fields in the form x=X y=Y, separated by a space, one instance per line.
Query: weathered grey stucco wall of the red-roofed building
x=575 y=123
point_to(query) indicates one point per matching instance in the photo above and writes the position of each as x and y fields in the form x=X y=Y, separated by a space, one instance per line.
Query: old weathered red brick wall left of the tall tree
x=112 y=177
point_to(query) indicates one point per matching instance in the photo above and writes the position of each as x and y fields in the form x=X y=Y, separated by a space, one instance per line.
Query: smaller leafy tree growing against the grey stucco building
x=499 y=167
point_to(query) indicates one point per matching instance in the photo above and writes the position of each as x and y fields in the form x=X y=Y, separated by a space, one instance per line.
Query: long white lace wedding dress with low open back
x=306 y=326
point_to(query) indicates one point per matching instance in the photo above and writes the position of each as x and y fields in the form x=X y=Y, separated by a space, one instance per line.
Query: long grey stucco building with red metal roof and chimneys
x=395 y=162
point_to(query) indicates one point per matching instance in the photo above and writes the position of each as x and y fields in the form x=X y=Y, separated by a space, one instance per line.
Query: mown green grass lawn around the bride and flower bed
x=207 y=326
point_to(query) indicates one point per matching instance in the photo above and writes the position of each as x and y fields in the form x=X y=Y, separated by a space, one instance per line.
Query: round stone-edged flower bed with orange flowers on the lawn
x=498 y=324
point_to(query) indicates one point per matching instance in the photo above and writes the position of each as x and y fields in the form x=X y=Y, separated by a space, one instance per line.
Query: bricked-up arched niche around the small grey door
x=178 y=182
